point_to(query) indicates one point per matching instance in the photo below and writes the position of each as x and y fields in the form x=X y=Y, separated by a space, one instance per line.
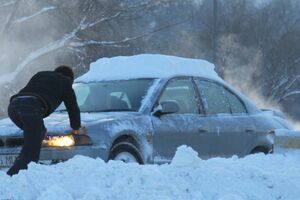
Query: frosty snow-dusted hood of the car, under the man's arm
x=58 y=123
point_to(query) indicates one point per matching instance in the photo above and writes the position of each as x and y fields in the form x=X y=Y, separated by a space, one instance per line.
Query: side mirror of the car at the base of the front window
x=166 y=107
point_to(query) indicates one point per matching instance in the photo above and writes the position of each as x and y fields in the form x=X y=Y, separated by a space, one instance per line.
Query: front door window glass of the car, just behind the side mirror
x=181 y=91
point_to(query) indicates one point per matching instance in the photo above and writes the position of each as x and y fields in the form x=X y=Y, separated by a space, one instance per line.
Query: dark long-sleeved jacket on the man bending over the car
x=52 y=88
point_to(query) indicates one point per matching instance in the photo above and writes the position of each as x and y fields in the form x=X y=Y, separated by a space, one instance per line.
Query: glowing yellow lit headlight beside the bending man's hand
x=59 y=141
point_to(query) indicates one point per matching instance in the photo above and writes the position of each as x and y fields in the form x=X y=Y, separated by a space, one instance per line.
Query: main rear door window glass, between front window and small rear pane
x=213 y=98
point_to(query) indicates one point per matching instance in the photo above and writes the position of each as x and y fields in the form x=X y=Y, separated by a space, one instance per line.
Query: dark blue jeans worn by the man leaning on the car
x=27 y=113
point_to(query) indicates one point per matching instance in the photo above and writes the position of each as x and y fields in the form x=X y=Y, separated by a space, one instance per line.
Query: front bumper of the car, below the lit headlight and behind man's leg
x=62 y=153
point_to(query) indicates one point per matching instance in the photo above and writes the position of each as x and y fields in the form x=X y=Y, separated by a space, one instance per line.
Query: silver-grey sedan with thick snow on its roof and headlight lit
x=141 y=108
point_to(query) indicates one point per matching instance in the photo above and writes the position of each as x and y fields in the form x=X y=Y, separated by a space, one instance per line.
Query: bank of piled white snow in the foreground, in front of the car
x=258 y=176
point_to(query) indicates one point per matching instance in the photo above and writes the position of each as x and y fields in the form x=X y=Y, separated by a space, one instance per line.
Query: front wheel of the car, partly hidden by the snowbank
x=125 y=152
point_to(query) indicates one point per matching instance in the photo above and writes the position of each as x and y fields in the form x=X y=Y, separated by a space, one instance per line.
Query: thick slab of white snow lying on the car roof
x=147 y=66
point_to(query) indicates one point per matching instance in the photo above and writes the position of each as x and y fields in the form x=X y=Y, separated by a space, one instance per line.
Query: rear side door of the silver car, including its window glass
x=226 y=111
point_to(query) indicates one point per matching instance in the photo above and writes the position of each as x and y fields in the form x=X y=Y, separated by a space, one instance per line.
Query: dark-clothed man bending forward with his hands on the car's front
x=45 y=91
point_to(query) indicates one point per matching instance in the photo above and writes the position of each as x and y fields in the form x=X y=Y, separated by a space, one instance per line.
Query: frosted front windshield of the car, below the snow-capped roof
x=105 y=96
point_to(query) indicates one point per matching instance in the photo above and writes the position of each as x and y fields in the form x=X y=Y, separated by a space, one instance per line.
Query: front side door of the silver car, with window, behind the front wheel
x=187 y=127
